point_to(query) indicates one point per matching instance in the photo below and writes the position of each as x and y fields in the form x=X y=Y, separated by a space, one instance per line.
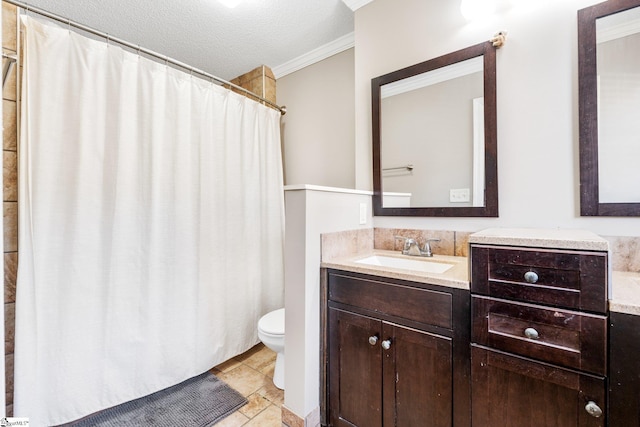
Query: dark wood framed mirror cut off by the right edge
x=609 y=107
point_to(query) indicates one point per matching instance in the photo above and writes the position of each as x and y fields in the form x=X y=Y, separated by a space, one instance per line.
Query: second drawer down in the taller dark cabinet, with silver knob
x=563 y=337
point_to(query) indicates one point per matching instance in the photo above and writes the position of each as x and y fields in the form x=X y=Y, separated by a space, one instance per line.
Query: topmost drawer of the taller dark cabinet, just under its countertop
x=571 y=279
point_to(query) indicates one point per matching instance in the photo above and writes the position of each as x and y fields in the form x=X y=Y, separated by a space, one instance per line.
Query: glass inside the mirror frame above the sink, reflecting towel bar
x=428 y=124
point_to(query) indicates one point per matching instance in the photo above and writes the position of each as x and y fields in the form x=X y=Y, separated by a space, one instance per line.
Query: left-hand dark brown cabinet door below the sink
x=355 y=369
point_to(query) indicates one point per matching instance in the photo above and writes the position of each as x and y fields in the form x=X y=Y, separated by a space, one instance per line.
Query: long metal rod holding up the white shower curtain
x=137 y=48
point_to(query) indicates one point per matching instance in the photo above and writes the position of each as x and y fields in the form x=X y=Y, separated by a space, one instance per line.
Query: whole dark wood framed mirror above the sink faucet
x=435 y=137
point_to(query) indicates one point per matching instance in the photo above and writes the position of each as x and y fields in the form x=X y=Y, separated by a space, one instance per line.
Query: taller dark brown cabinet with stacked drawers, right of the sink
x=539 y=337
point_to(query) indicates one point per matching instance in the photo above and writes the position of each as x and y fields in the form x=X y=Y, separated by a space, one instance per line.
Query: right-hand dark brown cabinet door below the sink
x=417 y=383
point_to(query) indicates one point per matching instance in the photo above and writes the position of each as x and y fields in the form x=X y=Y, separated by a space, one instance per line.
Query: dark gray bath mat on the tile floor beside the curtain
x=197 y=402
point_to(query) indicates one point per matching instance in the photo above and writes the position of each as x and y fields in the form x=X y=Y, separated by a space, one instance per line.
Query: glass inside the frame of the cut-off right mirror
x=618 y=68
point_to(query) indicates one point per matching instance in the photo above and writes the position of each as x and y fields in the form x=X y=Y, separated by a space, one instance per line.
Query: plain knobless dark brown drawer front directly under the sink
x=393 y=299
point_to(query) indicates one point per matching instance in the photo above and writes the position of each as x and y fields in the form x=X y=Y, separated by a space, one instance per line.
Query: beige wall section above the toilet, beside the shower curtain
x=318 y=129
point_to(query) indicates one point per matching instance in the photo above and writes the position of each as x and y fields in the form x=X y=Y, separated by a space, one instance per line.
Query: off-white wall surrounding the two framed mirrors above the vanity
x=537 y=100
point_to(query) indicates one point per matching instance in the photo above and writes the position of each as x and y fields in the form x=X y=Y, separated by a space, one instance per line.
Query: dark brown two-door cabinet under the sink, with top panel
x=395 y=356
